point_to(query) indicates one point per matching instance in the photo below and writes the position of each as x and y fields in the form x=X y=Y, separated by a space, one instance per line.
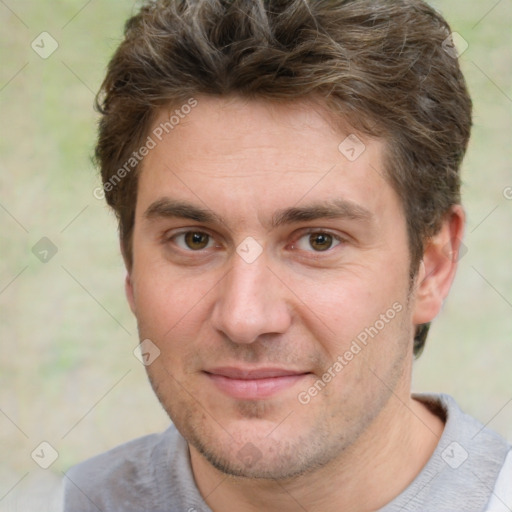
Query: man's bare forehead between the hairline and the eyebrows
x=254 y=156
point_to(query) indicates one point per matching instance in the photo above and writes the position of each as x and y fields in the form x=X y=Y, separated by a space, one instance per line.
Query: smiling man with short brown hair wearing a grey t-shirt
x=286 y=178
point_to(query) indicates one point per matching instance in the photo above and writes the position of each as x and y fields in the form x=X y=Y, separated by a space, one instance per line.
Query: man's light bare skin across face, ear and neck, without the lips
x=360 y=440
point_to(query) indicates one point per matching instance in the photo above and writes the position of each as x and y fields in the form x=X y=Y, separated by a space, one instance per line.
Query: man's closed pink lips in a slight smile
x=254 y=384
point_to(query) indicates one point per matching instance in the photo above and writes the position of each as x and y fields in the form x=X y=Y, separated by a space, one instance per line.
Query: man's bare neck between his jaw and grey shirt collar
x=376 y=469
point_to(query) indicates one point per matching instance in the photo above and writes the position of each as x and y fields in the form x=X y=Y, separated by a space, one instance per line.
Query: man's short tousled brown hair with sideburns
x=382 y=66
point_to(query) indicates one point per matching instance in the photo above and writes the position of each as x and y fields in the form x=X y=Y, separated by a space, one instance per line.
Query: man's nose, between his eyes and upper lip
x=251 y=302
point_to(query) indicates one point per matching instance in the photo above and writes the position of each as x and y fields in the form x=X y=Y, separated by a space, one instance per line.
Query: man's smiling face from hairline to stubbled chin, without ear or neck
x=261 y=251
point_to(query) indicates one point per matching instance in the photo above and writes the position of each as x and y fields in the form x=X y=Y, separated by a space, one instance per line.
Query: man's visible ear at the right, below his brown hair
x=437 y=269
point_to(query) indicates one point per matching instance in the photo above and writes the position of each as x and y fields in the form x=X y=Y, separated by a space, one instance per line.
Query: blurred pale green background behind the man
x=68 y=375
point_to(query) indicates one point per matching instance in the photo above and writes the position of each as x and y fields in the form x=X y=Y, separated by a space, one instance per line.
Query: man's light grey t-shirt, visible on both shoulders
x=154 y=474
